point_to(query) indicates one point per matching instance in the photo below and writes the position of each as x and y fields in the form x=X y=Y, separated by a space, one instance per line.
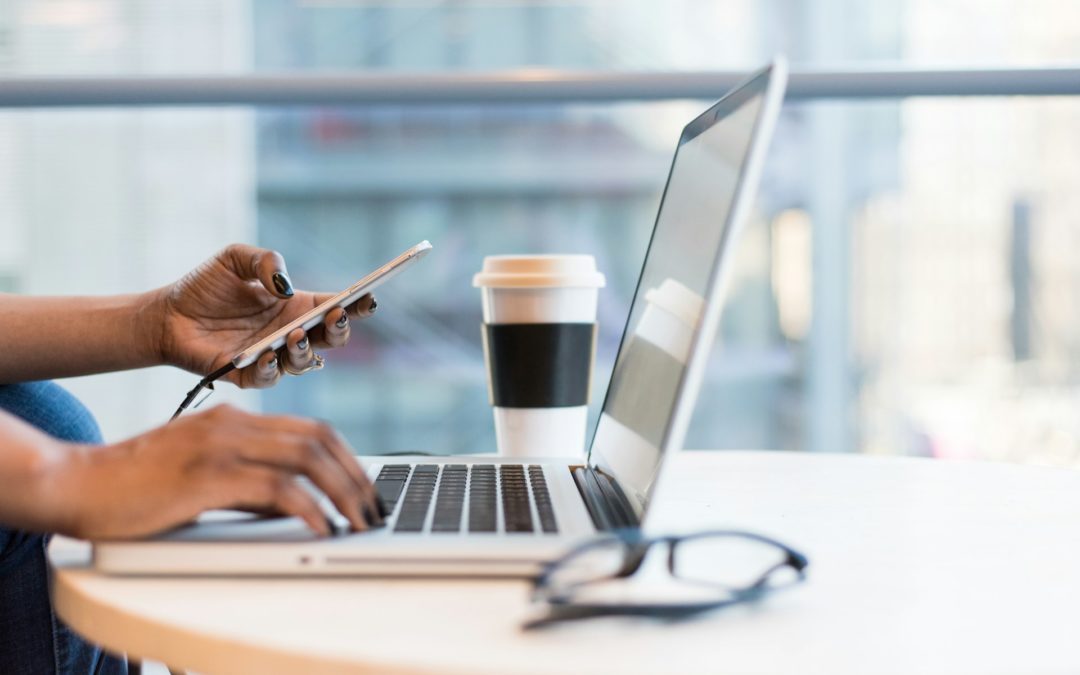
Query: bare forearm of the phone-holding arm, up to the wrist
x=50 y=337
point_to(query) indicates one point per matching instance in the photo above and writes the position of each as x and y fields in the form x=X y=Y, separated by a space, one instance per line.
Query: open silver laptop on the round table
x=489 y=516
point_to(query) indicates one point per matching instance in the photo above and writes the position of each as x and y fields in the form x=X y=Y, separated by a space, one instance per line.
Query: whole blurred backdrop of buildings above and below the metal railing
x=908 y=286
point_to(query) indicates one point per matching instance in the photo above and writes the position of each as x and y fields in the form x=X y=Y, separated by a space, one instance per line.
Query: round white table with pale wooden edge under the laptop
x=916 y=566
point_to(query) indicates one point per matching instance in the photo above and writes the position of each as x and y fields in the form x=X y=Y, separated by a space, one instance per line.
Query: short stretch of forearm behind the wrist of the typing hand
x=30 y=461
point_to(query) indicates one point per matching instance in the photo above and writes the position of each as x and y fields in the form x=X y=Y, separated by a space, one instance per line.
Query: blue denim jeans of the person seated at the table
x=33 y=640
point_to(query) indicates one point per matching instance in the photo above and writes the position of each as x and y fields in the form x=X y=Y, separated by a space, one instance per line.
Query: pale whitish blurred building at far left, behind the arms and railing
x=123 y=200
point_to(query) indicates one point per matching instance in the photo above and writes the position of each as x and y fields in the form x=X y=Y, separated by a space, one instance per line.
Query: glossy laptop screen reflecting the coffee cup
x=693 y=228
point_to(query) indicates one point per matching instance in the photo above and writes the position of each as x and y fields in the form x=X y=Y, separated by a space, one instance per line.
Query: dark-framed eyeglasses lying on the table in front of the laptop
x=637 y=548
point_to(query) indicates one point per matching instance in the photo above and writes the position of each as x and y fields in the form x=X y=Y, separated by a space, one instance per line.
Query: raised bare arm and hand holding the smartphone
x=197 y=325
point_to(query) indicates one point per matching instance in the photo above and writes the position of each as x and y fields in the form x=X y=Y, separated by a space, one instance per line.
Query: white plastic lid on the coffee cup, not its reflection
x=538 y=272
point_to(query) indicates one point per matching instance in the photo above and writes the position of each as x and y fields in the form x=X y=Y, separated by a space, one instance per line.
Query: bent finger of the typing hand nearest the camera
x=264 y=489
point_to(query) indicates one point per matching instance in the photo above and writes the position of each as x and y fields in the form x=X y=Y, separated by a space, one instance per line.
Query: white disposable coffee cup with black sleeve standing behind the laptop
x=539 y=336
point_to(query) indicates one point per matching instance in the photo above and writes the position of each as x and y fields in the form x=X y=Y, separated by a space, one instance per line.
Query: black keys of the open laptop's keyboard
x=455 y=498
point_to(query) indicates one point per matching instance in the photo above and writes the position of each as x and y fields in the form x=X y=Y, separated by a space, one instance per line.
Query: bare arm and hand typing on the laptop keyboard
x=223 y=458
